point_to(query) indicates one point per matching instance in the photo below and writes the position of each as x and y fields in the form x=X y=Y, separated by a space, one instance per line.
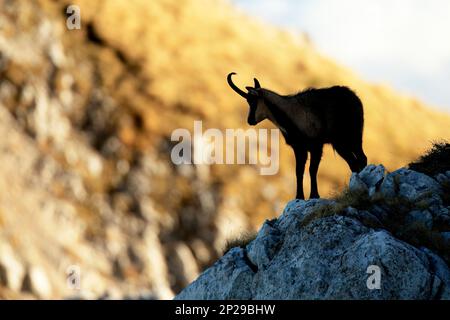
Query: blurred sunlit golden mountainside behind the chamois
x=86 y=118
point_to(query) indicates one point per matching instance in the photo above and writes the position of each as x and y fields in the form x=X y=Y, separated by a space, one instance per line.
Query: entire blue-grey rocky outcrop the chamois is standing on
x=327 y=249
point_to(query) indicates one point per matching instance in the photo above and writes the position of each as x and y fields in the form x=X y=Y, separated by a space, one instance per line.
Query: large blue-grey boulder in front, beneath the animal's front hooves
x=332 y=257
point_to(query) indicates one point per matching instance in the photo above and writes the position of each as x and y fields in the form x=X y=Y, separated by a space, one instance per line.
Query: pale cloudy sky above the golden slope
x=403 y=43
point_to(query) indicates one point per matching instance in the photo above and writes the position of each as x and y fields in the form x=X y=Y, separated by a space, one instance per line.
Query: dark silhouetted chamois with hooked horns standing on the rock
x=308 y=120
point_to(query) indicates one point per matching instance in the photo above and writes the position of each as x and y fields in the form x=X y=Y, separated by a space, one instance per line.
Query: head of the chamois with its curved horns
x=254 y=97
